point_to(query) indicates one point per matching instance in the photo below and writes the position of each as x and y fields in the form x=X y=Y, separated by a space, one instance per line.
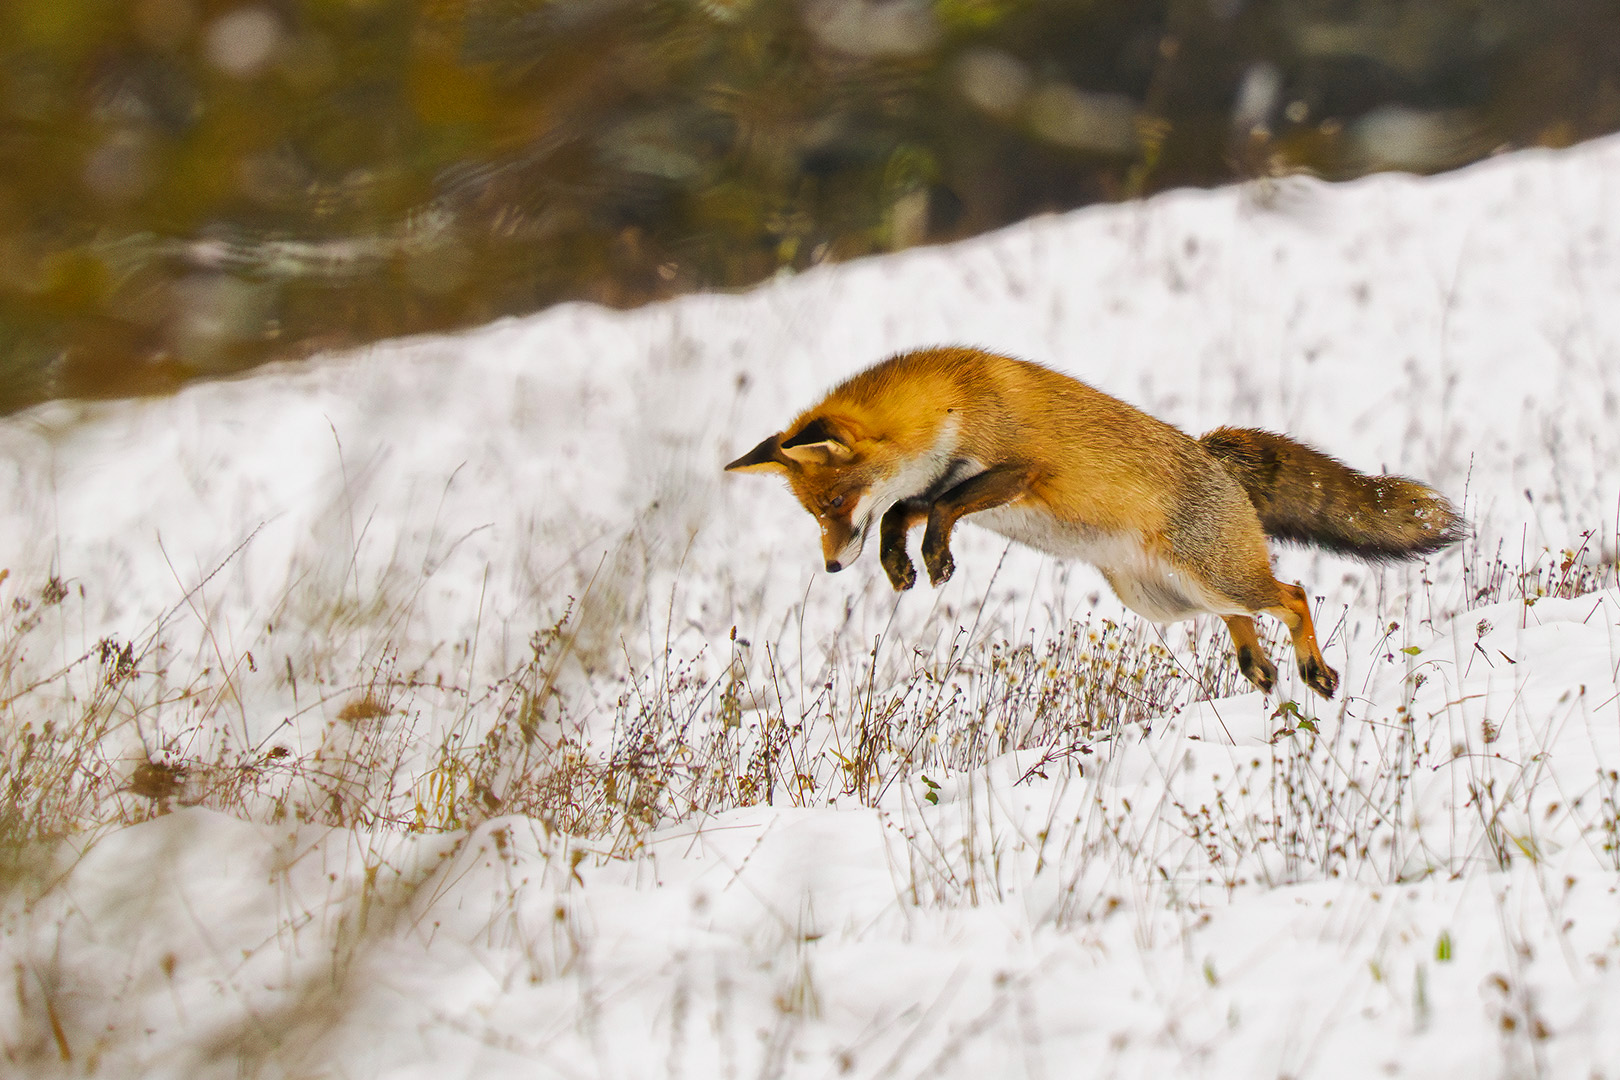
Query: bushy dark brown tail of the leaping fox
x=1308 y=498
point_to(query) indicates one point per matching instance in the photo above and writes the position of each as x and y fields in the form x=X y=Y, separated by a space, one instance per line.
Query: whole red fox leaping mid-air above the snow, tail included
x=1177 y=525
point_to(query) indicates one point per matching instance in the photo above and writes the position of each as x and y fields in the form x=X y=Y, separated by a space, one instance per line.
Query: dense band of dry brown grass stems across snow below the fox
x=117 y=736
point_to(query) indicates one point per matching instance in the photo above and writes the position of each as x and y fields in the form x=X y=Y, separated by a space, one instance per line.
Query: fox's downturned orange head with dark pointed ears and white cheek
x=829 y=466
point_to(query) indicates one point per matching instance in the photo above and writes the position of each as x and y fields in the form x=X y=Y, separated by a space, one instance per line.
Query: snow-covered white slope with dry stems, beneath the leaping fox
x=351 y=559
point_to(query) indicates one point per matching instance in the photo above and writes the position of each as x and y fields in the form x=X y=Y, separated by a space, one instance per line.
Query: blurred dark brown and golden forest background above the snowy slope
x=194 y=187
